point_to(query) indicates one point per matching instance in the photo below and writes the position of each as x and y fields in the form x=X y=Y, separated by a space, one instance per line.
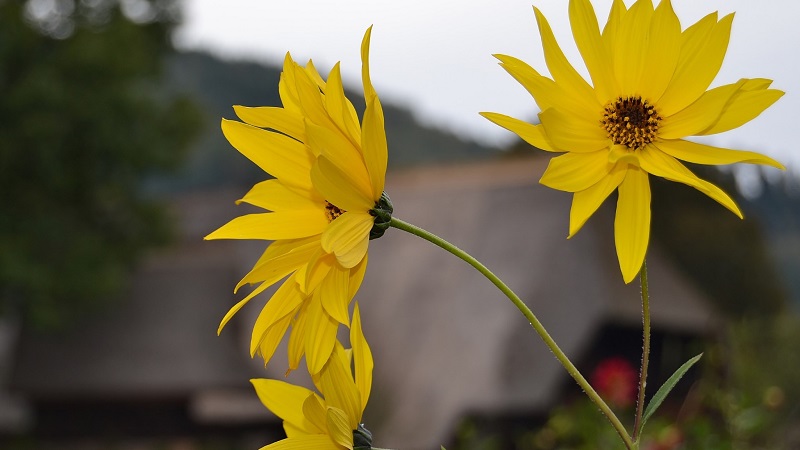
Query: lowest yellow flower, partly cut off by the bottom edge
x=333 y=420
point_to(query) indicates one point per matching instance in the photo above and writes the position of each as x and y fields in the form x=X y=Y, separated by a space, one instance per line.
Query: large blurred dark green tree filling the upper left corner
x=82 y=121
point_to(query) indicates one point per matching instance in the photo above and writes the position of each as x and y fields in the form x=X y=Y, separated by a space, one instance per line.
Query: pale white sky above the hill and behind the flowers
x=434 y=56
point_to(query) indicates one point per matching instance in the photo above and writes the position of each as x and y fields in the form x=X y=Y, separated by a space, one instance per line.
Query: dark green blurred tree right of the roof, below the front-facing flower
x=726 y=257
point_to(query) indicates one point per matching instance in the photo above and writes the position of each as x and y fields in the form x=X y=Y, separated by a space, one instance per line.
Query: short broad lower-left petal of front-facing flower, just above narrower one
x=573 y=172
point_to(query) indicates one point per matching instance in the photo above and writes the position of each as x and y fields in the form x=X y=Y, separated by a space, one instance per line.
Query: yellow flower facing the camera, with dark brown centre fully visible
x=648 y=92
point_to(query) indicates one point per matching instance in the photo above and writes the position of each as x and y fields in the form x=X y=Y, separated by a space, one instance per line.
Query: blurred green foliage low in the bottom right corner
x=745 y=397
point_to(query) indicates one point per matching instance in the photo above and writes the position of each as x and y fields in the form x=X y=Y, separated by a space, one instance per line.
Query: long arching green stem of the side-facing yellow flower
x=551 y=344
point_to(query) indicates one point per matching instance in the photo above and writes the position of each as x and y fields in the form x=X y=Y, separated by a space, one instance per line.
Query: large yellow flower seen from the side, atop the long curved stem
x=326 y=201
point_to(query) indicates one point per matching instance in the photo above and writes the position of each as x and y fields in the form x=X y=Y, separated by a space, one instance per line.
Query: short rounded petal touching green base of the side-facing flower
x=348 y=237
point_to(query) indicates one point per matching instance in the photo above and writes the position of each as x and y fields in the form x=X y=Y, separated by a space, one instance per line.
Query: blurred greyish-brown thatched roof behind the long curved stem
x=447 y=341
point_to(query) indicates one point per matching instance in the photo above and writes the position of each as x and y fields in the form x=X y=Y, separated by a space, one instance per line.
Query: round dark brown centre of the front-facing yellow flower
x=630 y=121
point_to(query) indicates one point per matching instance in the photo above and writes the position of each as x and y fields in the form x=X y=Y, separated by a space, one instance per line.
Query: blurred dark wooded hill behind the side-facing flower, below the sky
x=217 y=85
